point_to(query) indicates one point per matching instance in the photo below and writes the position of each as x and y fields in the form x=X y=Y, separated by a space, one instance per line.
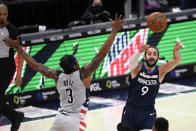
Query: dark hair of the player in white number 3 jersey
x=67 y=62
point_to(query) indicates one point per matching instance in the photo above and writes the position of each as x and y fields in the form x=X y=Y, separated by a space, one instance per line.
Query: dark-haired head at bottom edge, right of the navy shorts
x=161 y=124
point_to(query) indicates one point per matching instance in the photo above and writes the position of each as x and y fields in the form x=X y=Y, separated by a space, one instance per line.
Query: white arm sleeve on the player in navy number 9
x=133 y=61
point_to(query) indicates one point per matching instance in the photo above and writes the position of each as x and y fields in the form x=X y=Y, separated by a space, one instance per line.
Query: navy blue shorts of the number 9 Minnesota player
x=138 y=119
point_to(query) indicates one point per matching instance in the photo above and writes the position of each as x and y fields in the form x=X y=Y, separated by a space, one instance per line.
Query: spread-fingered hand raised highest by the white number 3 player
x=118 y=23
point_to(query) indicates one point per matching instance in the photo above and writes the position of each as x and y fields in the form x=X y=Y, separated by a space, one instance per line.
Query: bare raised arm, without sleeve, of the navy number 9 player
x=170 y=65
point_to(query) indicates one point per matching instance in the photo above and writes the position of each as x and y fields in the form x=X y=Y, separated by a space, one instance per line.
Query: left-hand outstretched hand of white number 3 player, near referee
x=11 y=43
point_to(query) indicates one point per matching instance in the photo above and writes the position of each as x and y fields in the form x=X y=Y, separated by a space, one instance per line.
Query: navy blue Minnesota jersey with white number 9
x=143 y=89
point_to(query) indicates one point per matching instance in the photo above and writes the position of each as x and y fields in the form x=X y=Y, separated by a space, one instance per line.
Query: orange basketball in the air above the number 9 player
x=157 y=22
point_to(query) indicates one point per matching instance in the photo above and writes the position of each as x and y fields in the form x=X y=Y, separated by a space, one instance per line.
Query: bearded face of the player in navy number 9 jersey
x=151 y=57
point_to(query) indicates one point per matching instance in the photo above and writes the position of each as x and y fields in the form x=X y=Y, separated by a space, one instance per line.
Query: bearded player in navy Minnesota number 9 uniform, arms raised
x=139 y=112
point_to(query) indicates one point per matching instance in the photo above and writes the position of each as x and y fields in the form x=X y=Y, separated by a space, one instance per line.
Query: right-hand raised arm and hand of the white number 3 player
x=94 y=64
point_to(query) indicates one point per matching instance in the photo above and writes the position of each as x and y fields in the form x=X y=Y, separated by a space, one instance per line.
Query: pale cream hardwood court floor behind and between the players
x=179 y=109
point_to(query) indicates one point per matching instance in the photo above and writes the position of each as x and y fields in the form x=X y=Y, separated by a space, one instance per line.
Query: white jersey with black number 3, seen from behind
x=72 y=92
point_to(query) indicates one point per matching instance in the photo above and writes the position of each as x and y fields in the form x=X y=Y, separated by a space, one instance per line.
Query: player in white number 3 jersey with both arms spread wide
x=73 y=81
